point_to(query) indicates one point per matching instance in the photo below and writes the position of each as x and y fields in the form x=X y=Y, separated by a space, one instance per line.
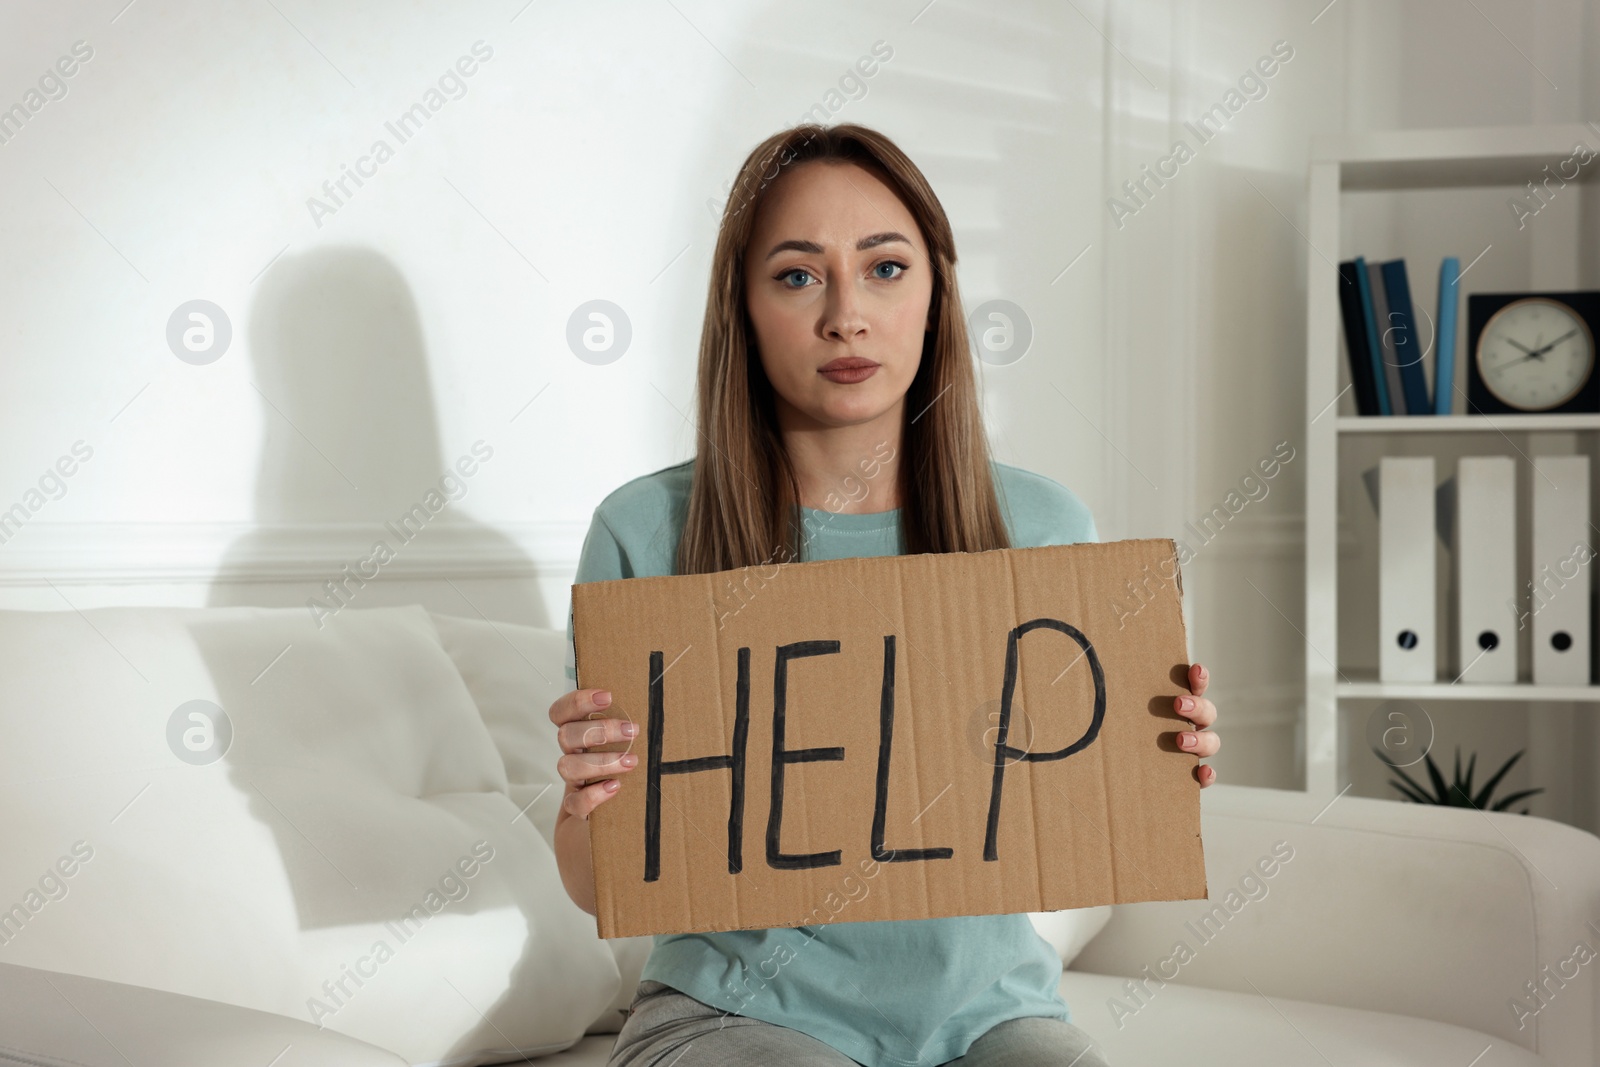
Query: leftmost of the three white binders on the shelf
x=1407 y=617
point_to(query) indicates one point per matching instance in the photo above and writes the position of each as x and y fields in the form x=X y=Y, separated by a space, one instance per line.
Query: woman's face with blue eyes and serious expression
x=838 y=284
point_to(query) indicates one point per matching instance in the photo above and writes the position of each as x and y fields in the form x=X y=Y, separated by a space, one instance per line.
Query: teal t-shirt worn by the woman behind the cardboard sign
x=887 y=994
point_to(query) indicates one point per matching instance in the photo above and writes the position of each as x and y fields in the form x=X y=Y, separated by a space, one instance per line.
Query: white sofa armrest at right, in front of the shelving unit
x=1410 y=909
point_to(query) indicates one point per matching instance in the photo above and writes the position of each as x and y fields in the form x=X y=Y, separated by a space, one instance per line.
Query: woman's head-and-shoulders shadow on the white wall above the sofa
x=351 y=454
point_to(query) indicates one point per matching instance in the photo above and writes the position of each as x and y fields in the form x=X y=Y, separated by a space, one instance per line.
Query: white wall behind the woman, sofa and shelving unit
x=430 y=313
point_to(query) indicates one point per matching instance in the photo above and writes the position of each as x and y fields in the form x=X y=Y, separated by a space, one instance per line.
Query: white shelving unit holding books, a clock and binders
x=1342 y=175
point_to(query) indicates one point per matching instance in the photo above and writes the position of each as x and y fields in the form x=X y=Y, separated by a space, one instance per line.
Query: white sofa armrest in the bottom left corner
x=73 y=1021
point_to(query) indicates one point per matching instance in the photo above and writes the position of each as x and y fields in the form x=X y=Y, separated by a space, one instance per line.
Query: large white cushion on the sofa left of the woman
x=361 y=786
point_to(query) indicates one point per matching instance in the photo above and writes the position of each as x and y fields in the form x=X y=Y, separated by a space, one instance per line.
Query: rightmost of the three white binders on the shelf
x=1559 y=588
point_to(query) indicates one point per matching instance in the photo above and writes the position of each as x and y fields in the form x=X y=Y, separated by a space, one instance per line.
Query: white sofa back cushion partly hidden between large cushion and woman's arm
x=514 y=673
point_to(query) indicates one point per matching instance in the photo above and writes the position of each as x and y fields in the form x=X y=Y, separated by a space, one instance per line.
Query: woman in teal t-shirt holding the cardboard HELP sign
x=838 y=418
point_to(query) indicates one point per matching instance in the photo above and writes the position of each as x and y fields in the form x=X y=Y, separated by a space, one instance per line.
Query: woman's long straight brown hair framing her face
x=743 y=505
